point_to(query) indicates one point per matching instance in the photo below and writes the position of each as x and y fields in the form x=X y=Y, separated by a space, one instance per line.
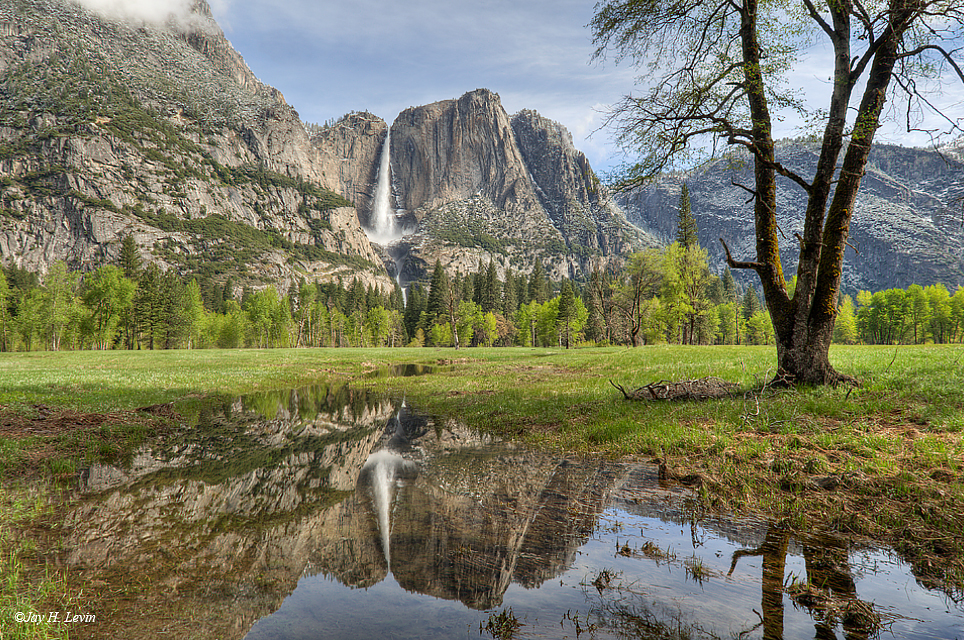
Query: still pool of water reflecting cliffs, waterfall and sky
x=328 y=513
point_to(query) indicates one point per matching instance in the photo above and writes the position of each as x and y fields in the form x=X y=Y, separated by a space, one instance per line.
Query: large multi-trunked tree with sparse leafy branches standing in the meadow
x=718 y=75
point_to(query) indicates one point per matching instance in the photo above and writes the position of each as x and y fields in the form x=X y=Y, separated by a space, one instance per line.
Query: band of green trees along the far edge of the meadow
x=660 y=296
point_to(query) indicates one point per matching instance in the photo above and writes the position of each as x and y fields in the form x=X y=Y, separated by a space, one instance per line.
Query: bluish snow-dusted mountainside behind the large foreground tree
x=906 y=225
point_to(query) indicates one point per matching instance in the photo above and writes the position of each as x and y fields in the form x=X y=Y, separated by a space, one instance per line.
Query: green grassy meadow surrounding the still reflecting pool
x=882 y=461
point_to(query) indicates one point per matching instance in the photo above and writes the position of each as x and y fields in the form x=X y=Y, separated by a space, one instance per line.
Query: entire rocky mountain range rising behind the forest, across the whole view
x=111 y=128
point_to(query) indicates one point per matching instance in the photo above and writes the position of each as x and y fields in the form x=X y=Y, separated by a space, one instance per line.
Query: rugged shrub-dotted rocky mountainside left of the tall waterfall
x=111 y=127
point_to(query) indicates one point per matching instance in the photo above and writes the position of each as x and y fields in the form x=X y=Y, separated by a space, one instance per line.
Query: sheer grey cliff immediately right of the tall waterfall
x=478 y=185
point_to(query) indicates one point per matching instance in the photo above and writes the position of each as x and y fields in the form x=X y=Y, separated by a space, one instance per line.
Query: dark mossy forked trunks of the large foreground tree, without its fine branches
x=803 y=326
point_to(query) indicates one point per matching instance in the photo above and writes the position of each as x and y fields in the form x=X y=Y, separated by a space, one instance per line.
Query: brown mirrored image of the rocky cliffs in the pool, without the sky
x=239 y=506
